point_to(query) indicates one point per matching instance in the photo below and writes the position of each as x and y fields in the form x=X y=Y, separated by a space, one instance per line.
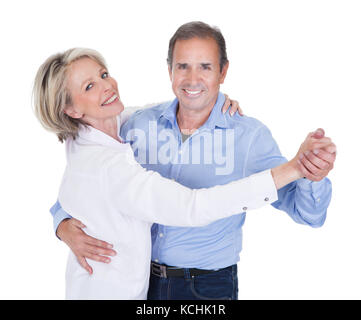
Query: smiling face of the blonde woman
x=94 y=93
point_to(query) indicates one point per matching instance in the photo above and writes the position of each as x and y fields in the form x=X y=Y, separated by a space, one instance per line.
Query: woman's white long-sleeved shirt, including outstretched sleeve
x=118 y=200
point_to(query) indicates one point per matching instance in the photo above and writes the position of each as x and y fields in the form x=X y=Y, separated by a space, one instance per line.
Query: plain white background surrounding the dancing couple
x=295 y=65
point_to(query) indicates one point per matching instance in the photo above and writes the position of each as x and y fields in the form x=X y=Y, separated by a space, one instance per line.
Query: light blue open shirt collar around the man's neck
x=215 y=119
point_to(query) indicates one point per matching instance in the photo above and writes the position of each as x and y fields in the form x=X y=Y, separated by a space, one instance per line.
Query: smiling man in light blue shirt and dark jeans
x=191 y=141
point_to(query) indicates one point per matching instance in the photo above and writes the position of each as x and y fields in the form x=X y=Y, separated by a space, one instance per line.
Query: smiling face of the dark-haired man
x=195 y=73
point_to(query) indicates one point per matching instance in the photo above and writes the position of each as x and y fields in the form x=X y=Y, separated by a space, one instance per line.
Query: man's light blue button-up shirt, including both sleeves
x=223 y=149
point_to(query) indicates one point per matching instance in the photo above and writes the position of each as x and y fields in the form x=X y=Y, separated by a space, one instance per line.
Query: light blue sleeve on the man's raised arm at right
x=305 y=201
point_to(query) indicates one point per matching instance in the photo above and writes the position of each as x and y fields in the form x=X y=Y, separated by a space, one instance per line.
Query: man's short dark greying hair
x=198 y=29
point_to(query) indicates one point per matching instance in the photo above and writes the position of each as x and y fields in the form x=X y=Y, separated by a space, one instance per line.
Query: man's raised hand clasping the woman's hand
x=316 y=163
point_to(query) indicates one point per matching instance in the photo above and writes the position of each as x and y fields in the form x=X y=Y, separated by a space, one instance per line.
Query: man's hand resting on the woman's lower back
x=83 y=246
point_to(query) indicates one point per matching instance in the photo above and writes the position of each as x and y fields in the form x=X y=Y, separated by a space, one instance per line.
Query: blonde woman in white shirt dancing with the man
x=77 y=99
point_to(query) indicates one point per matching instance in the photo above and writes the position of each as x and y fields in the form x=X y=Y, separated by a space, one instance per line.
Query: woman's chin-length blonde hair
x=50 y=93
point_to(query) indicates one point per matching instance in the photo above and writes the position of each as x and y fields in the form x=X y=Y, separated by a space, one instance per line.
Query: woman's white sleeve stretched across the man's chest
x=146 y=195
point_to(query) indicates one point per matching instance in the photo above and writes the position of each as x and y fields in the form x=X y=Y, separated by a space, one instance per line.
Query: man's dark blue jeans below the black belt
x=218 y=285
